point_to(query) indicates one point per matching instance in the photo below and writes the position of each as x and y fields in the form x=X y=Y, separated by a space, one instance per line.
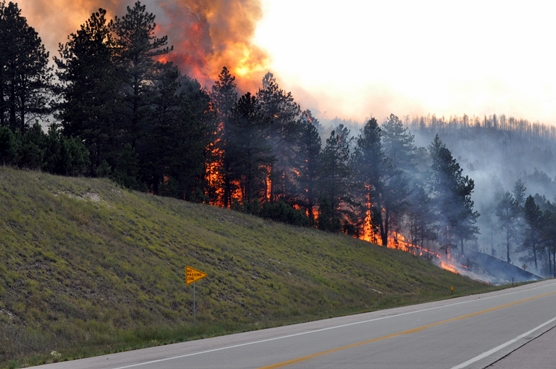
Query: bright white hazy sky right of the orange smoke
x=354 y=58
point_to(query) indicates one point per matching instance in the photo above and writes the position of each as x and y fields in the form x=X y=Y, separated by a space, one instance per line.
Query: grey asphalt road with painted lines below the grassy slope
x=467 y=332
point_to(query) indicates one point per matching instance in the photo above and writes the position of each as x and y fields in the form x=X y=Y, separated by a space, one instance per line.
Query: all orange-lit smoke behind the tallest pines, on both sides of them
x=206 y=35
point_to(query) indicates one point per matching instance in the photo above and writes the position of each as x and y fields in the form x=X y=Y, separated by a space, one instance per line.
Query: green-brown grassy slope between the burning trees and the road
x=86 y=267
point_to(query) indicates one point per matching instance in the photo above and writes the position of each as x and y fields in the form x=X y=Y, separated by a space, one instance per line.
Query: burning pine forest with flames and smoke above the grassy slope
x=110 y=105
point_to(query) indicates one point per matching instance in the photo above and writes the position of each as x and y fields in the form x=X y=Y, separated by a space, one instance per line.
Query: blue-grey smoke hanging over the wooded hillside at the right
x=496 y=152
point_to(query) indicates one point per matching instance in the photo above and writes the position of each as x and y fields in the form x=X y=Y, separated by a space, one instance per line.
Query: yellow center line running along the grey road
x=392 y=335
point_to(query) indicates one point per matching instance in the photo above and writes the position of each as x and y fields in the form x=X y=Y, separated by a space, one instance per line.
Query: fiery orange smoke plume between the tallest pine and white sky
x=208 y=35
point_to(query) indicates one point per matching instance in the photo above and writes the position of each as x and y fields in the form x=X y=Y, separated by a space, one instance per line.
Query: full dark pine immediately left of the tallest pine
x=88 y=86
